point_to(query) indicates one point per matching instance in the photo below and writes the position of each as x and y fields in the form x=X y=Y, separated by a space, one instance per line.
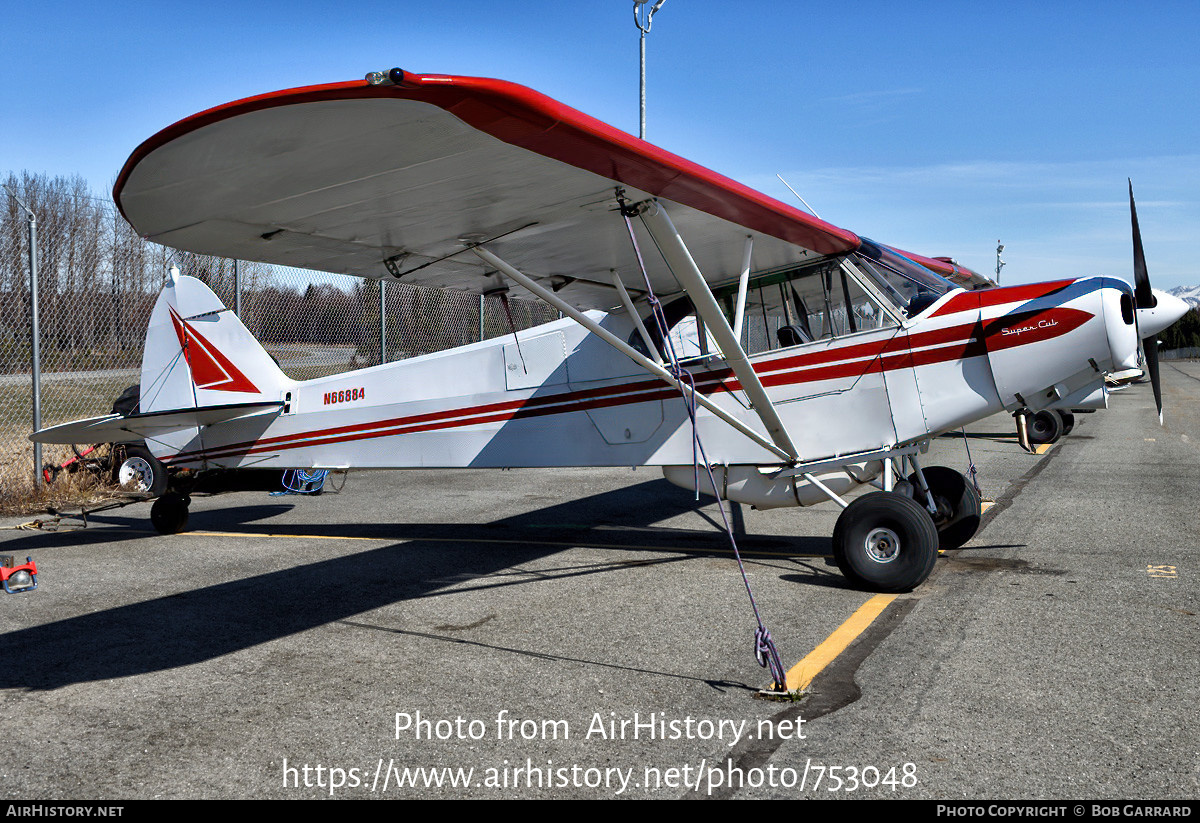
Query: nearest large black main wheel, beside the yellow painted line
x=885 y=543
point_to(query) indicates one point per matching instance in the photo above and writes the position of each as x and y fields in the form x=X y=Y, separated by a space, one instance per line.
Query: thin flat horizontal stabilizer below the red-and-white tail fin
x=118 y=429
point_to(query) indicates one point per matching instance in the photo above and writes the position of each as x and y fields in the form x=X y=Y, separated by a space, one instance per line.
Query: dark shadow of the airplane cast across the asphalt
x=205 y=623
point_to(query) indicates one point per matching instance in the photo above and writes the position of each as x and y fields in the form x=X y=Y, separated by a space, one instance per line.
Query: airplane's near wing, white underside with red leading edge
x=395 y=181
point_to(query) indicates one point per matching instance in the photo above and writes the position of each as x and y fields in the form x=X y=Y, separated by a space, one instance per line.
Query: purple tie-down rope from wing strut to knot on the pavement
x=765 y=647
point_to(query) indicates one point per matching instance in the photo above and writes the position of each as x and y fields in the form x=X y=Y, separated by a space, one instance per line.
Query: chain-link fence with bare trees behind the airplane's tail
x=98 y=284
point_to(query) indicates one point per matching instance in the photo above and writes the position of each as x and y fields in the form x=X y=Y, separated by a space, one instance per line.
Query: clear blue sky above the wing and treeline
x=939 y=128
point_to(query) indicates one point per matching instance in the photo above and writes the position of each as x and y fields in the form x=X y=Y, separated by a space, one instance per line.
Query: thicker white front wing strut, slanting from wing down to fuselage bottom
x=685 y=268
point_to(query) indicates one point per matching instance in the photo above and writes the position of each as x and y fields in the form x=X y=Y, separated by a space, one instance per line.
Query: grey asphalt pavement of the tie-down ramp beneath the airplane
x=586 y=634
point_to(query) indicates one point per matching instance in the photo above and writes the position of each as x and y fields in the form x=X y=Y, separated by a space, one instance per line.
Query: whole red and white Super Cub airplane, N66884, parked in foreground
x=815 y=361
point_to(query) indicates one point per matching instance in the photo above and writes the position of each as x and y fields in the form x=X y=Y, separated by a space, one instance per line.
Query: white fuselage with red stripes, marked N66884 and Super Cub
x=556 y=395
